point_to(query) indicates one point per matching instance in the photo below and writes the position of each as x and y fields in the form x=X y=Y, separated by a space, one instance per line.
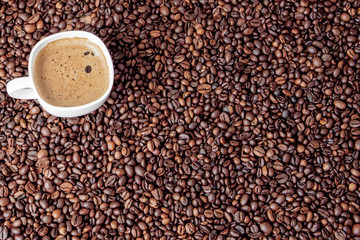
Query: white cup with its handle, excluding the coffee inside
x=24 y=87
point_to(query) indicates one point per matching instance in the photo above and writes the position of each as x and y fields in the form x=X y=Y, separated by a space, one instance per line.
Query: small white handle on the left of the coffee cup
x=21 y=88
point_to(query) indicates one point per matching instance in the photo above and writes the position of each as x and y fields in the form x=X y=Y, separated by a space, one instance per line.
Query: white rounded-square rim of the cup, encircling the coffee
x=71 y=34
